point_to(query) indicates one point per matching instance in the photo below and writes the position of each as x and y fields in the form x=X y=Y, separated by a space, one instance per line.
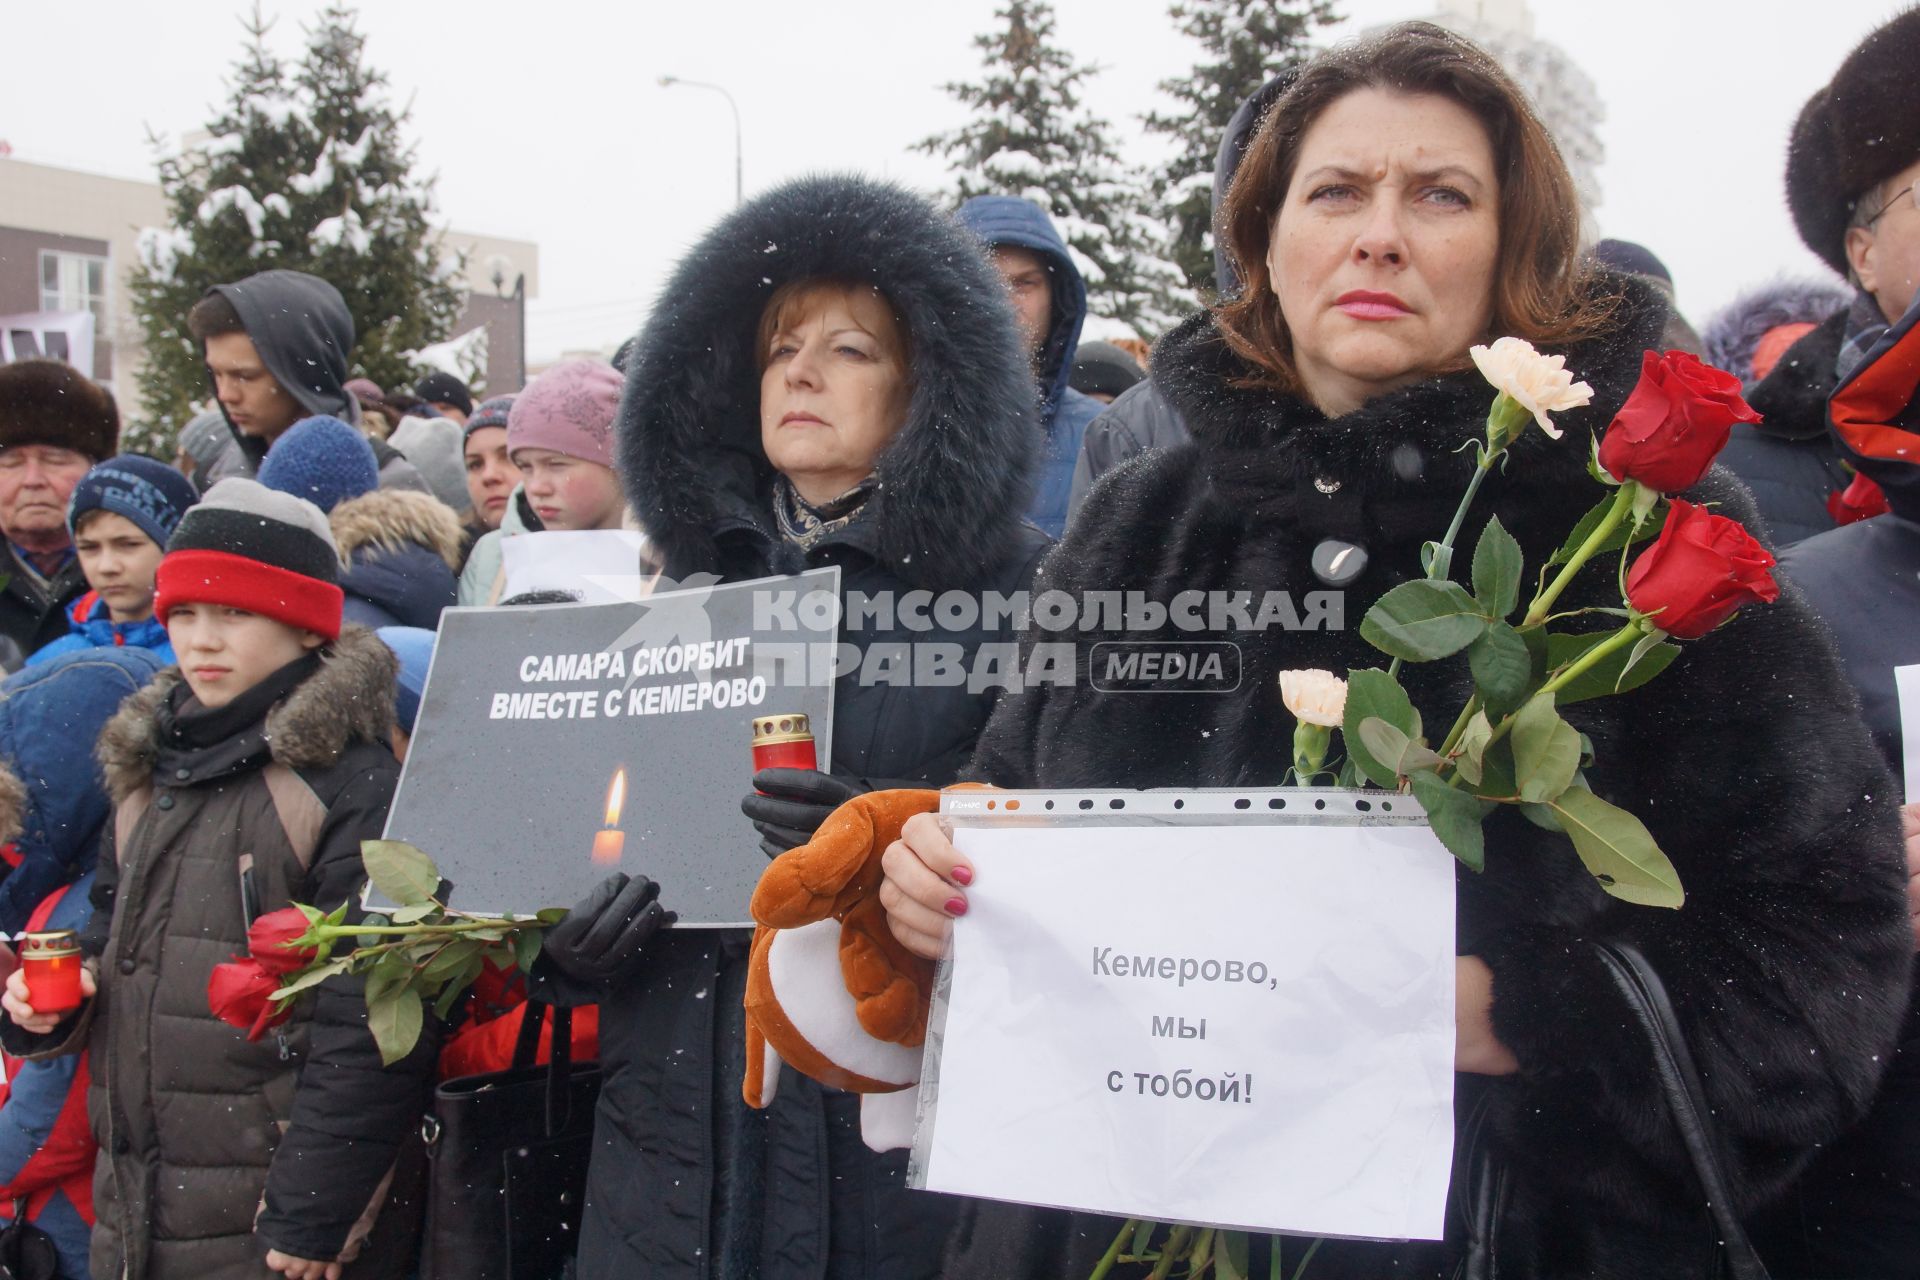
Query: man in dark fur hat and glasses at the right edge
x=1852 y=170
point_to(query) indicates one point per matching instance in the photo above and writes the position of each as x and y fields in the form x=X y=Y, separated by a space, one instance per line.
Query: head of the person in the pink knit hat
x=560 y=435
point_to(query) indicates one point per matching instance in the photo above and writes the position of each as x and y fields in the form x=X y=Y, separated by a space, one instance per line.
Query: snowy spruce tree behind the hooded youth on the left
x=304 y=168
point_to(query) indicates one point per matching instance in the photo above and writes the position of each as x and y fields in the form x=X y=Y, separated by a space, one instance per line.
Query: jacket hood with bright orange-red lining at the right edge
x=1875 y=415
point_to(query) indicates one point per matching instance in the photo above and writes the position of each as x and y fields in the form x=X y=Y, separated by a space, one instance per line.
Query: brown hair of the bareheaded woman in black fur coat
x=1541 y=287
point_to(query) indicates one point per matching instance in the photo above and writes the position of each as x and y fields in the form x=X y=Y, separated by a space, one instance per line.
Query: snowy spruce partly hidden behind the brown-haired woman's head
x=1243 y=45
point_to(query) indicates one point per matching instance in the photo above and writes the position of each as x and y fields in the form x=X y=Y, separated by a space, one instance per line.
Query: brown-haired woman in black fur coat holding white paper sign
x=1399 y=206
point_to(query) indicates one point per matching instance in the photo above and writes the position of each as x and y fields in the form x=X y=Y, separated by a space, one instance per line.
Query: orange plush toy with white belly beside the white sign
x=828 y=989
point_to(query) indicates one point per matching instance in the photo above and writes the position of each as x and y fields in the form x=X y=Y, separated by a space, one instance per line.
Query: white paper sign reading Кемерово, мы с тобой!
x=1093 y=970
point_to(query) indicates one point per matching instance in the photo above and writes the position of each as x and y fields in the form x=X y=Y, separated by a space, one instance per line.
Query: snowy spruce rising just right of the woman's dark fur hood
x=1028 y=135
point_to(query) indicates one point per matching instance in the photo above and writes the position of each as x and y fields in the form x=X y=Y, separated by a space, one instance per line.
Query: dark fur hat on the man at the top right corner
x=1858 y=131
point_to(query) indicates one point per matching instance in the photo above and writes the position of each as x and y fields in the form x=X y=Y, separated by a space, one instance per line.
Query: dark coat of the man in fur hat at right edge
x=1788 y=462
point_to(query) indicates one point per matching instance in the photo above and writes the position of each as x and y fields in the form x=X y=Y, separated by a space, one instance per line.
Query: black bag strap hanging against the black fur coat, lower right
x=1687 y=1104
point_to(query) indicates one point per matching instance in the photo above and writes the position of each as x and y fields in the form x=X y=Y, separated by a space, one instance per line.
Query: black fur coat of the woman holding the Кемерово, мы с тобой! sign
x=1746 y=761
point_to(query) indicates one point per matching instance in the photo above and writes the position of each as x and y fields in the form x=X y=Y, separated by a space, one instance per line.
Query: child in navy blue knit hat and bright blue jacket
x=122 y=515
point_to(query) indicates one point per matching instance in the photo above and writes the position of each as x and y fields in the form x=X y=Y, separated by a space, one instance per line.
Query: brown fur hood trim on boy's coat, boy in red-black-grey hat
x=348 y=699
